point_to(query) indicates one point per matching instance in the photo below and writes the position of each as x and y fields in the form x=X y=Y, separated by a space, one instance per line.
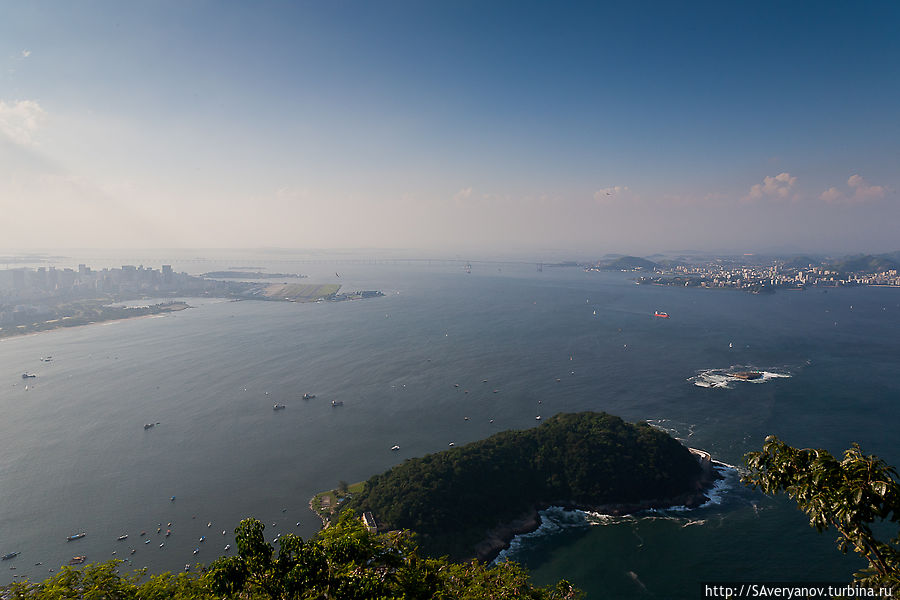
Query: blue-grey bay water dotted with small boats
x=74 y=455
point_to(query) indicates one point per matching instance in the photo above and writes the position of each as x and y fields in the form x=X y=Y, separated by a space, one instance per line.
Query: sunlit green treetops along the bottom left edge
x=343 y=562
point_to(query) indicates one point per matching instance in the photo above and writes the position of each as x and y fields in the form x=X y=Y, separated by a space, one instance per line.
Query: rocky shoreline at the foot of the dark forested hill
x=499 y=538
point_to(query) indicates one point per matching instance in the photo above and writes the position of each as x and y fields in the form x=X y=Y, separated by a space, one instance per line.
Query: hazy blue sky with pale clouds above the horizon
x=586 y=127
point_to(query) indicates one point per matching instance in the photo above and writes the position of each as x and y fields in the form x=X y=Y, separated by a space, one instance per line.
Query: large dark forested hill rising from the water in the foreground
x=471 y=500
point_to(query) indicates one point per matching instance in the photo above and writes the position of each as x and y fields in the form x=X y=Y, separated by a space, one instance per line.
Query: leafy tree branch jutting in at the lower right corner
x=849 y=495
